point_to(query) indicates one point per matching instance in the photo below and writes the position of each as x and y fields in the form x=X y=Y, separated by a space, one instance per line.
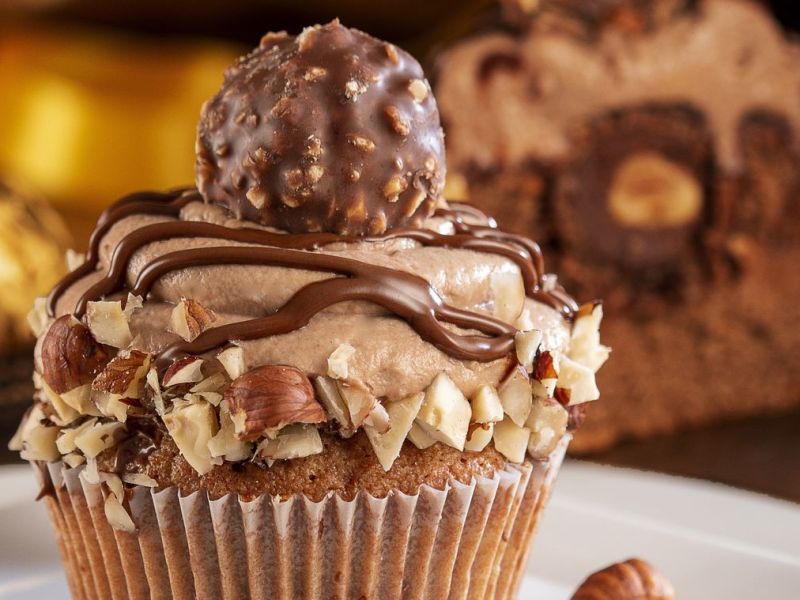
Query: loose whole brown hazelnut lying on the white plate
x=633 y=579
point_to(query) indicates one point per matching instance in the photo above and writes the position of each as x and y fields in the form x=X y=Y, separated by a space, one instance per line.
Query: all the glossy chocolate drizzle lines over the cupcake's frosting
x=405 y=295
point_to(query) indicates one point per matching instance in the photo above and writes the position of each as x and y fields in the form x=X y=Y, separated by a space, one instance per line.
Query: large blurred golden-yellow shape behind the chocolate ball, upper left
x=87 y=117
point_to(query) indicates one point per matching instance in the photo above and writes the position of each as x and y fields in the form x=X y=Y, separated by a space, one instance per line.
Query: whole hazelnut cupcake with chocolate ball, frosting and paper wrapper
x=310 y=376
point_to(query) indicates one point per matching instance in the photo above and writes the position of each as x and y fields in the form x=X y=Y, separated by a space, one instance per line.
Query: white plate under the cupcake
x=712 y=541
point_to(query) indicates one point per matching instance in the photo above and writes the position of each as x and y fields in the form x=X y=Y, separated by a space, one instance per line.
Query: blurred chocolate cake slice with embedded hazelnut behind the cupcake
x=653 y=148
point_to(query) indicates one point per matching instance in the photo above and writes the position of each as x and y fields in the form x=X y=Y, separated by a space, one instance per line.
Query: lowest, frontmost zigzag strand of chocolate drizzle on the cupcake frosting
x=407 y=296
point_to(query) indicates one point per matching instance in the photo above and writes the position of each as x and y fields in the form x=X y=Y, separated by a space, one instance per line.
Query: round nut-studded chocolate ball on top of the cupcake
x=331 y=130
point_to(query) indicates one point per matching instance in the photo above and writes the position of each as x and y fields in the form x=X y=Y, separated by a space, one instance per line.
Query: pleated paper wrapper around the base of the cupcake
x=464 y=542
